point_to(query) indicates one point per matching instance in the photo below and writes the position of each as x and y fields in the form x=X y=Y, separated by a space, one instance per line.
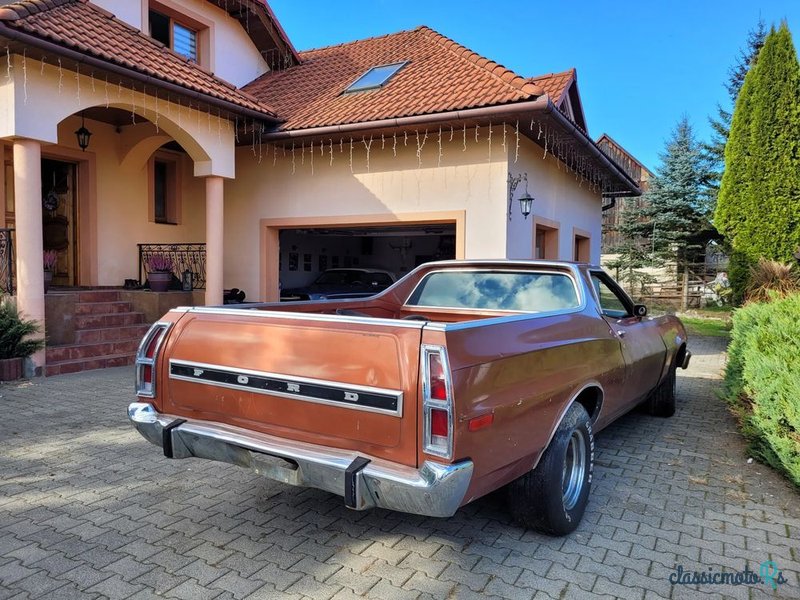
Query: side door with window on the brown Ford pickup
x=642 y=347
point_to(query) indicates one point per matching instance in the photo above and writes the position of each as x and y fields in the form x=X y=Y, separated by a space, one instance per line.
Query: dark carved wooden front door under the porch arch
x=60 y=218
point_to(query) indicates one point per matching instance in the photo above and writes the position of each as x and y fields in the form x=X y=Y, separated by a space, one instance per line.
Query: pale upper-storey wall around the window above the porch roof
x=223 y=34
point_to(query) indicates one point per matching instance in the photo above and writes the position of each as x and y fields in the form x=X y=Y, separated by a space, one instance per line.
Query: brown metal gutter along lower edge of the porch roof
x=24 y=38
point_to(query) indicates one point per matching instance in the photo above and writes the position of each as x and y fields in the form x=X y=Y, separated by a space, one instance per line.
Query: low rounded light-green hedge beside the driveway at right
x=762 y=381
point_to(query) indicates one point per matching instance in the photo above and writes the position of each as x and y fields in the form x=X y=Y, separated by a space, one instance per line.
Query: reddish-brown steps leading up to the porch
x=107 y=333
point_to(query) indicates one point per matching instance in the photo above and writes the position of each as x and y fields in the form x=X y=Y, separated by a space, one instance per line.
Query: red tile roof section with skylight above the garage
x=440 y=76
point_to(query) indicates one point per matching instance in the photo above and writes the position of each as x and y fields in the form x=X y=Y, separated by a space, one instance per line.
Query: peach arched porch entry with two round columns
x=110 y=175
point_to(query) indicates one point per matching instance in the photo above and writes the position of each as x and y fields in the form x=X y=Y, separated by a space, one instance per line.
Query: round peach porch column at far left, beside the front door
x=28 y=235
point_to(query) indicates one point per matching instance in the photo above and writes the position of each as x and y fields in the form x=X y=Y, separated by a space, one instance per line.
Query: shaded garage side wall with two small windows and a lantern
x=559 y=198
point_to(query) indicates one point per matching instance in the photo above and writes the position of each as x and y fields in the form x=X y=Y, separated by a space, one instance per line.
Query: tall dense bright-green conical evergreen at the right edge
x=758 y=209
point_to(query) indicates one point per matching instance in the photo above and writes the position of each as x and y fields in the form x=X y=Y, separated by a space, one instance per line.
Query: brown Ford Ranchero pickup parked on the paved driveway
x=461 y=378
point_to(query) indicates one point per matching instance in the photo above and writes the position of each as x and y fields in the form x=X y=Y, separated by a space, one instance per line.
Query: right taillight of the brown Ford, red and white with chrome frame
x=437 y=402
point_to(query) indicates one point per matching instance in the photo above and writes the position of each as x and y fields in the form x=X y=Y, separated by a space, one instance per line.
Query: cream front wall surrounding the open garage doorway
x=468 y=181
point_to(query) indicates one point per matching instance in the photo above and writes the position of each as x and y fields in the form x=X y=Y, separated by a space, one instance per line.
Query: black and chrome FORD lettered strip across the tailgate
x=342 y=395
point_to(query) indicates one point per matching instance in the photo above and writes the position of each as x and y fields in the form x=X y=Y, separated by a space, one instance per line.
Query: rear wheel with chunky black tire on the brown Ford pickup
x=552 y=498
